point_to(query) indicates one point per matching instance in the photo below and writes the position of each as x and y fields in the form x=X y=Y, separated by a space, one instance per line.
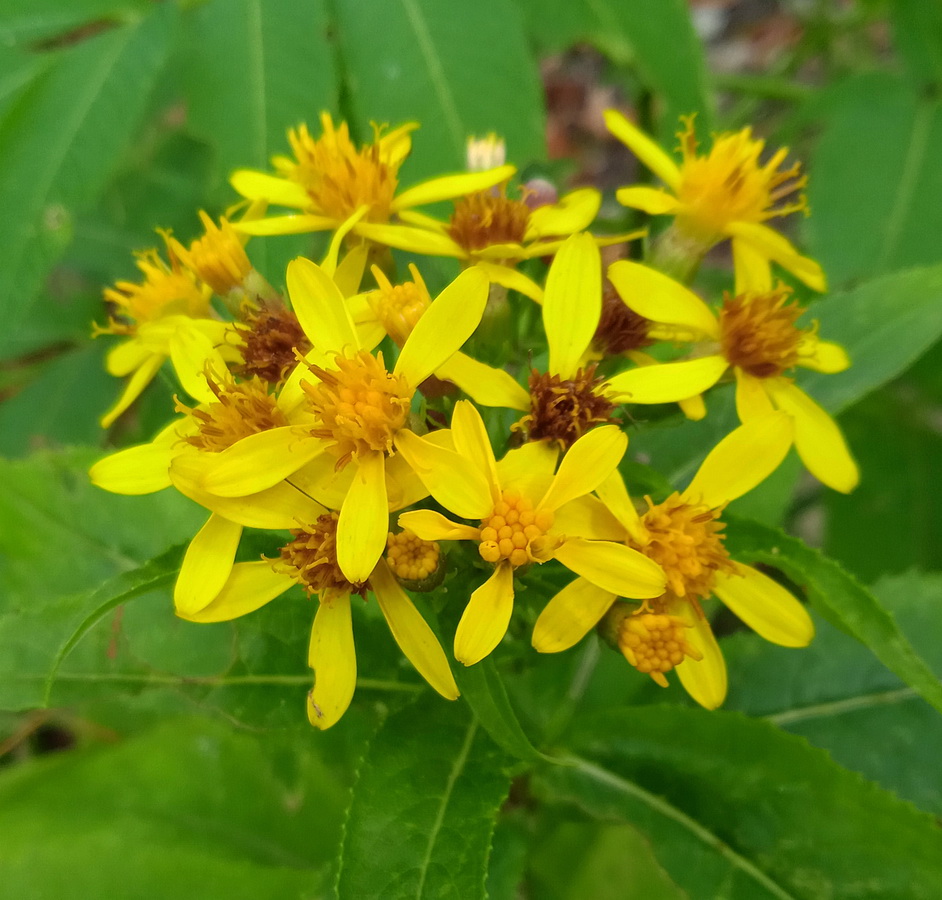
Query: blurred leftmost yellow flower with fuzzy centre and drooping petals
x=166 y=315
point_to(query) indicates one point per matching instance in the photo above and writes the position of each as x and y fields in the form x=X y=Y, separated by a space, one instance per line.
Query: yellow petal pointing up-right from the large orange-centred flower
x=444 y=327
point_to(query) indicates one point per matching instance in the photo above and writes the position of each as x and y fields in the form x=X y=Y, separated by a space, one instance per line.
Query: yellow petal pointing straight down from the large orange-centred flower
x=364 y=519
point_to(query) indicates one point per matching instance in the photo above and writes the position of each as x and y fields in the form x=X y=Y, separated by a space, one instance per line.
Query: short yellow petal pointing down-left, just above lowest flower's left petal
x=207 y=565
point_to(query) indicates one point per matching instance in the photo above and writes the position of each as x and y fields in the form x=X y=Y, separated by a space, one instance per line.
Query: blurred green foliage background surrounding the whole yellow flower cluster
x=189 y=766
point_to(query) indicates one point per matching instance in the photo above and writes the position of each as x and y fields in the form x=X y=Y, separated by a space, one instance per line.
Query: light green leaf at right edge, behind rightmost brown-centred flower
x=885 y=324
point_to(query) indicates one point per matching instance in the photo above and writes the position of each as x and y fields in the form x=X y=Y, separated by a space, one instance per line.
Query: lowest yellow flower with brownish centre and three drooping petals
x=310 y=559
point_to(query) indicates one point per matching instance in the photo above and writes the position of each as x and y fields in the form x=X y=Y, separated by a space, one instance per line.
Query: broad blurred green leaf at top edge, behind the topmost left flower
x=458 y=71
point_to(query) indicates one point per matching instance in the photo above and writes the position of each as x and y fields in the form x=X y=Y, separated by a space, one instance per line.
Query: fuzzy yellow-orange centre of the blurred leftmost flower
x=165 y=290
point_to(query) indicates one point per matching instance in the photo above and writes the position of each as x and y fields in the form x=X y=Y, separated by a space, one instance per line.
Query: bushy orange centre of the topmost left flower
x=338 y=177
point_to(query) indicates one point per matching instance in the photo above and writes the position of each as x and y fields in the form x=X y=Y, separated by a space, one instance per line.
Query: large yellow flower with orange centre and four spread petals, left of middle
x=357 y=407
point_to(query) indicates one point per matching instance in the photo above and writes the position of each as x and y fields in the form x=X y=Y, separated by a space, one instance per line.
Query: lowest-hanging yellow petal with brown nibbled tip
x=333 y=658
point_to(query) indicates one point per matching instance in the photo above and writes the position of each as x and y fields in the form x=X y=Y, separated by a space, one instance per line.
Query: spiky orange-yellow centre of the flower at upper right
x=730 y=184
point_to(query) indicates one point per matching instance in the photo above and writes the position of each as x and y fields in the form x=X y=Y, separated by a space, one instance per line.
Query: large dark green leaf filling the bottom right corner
x=735 y=808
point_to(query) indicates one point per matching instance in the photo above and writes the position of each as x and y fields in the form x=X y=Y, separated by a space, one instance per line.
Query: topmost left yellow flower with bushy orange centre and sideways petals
x=330 y=179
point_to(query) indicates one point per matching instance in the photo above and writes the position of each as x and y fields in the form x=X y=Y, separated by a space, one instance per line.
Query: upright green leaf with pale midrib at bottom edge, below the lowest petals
x=423 y=808
